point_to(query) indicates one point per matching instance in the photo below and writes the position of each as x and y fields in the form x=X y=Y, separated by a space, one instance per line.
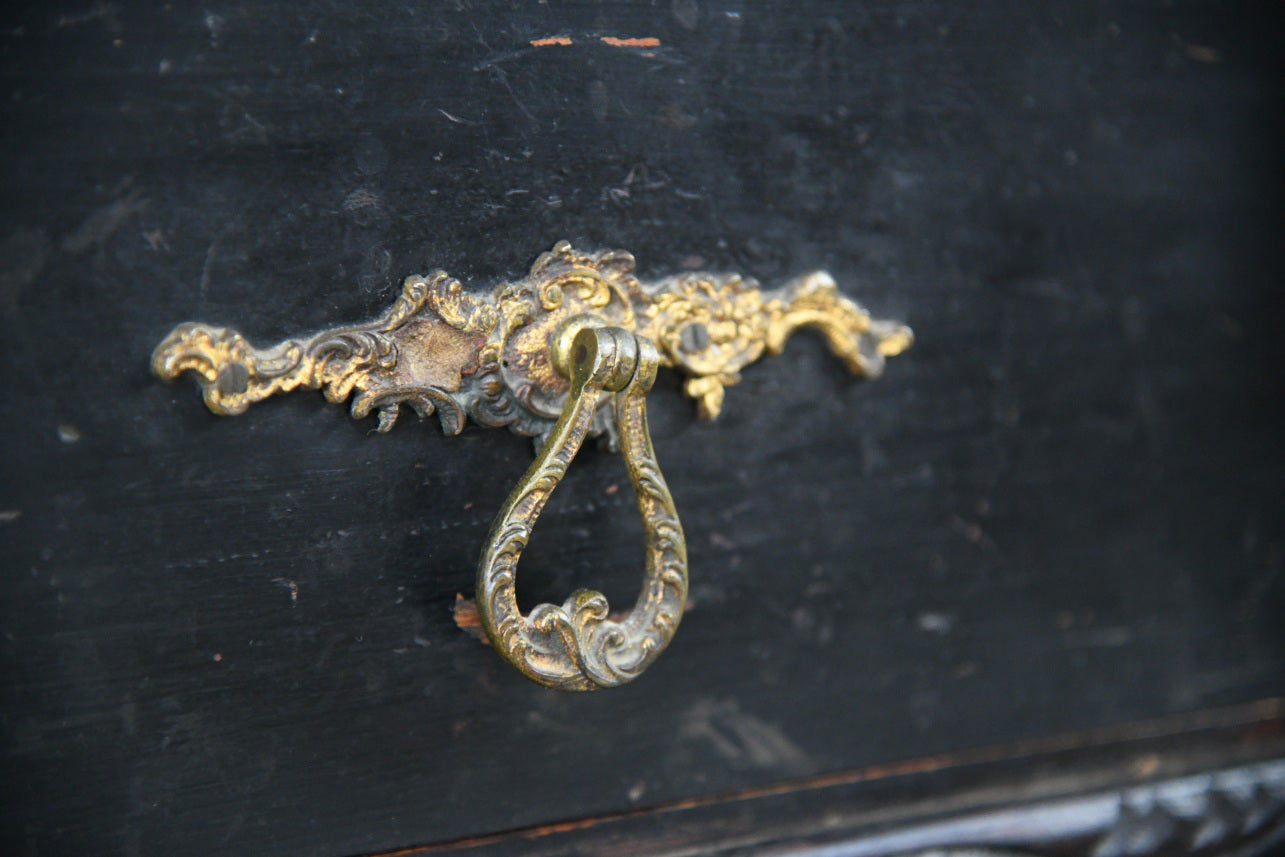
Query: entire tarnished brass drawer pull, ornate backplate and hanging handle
x=565 y=354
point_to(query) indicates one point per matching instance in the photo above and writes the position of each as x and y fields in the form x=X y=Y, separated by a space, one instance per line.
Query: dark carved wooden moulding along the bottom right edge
x=1116 y=795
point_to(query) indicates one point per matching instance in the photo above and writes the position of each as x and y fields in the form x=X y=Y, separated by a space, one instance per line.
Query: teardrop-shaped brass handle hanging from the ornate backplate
x=579 y=646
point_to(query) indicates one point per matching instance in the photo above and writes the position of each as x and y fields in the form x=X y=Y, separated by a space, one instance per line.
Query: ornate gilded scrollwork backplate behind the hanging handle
x=444 y=350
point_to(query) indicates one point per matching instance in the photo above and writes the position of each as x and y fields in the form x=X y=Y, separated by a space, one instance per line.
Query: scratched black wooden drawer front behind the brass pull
x=1061 y=511
